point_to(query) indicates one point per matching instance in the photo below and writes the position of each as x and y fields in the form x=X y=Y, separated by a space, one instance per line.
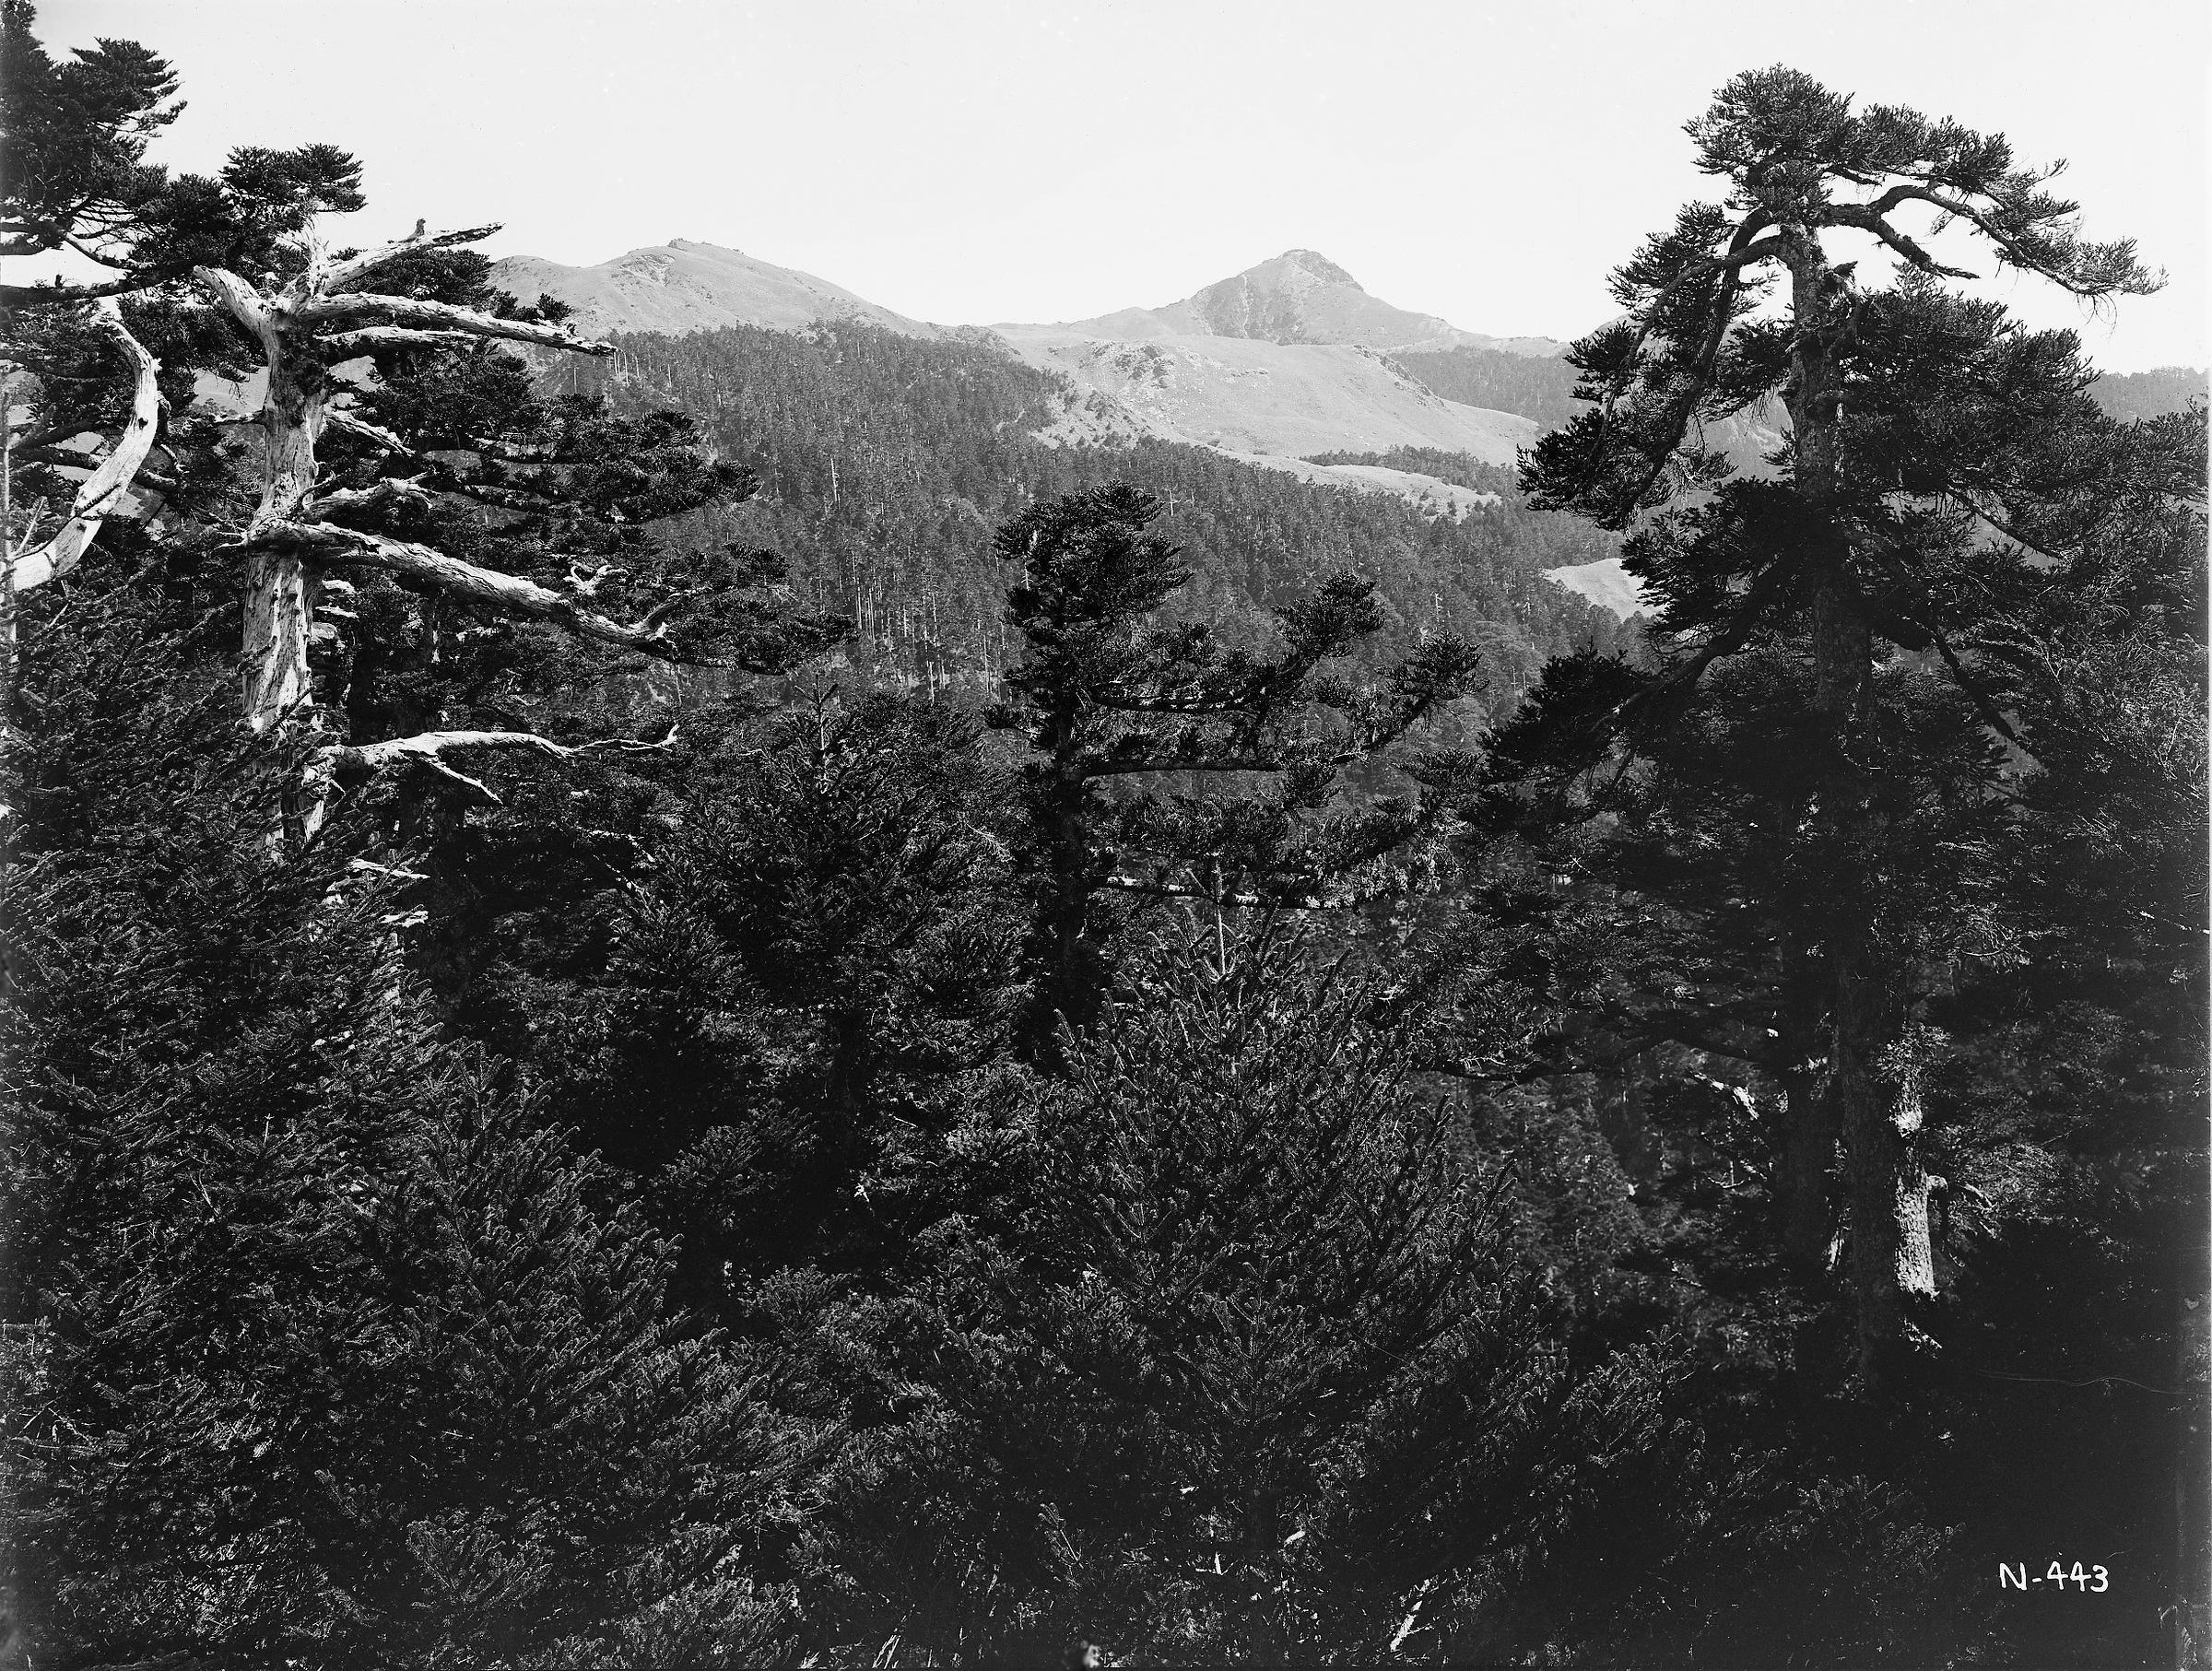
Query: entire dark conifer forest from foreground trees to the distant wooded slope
x=685 y=1001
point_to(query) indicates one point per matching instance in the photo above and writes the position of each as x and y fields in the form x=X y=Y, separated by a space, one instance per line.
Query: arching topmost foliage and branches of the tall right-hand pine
x=1799 y=163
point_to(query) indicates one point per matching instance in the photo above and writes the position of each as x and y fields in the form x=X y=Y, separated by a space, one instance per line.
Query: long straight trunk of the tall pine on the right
x=1875 y=1063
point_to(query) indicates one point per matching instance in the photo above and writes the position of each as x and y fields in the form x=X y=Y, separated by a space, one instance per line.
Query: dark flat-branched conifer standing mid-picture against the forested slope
x=1109 y=692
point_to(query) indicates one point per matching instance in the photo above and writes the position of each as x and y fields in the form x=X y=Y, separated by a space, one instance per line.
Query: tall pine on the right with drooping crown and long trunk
x=1930 y=444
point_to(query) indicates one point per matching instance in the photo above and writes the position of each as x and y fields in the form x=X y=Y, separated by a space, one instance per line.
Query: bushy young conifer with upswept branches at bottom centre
x=1224 y=1347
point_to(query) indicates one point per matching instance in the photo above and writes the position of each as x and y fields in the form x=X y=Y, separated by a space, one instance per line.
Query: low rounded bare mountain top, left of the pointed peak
x=685 y=287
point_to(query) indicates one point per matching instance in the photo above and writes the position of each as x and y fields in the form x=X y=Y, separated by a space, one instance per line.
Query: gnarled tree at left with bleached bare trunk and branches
x=304 y=309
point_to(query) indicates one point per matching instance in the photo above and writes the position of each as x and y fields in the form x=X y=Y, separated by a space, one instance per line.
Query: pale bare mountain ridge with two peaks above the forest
x=1266 y=369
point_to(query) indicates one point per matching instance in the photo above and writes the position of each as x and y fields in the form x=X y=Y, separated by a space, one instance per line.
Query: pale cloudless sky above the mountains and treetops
x=983 y=163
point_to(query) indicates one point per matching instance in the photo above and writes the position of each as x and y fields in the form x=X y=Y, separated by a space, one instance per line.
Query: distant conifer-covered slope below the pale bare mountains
x=886 y=464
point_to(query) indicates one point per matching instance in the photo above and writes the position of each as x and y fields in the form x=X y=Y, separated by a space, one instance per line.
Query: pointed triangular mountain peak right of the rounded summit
x=1297 y=298
